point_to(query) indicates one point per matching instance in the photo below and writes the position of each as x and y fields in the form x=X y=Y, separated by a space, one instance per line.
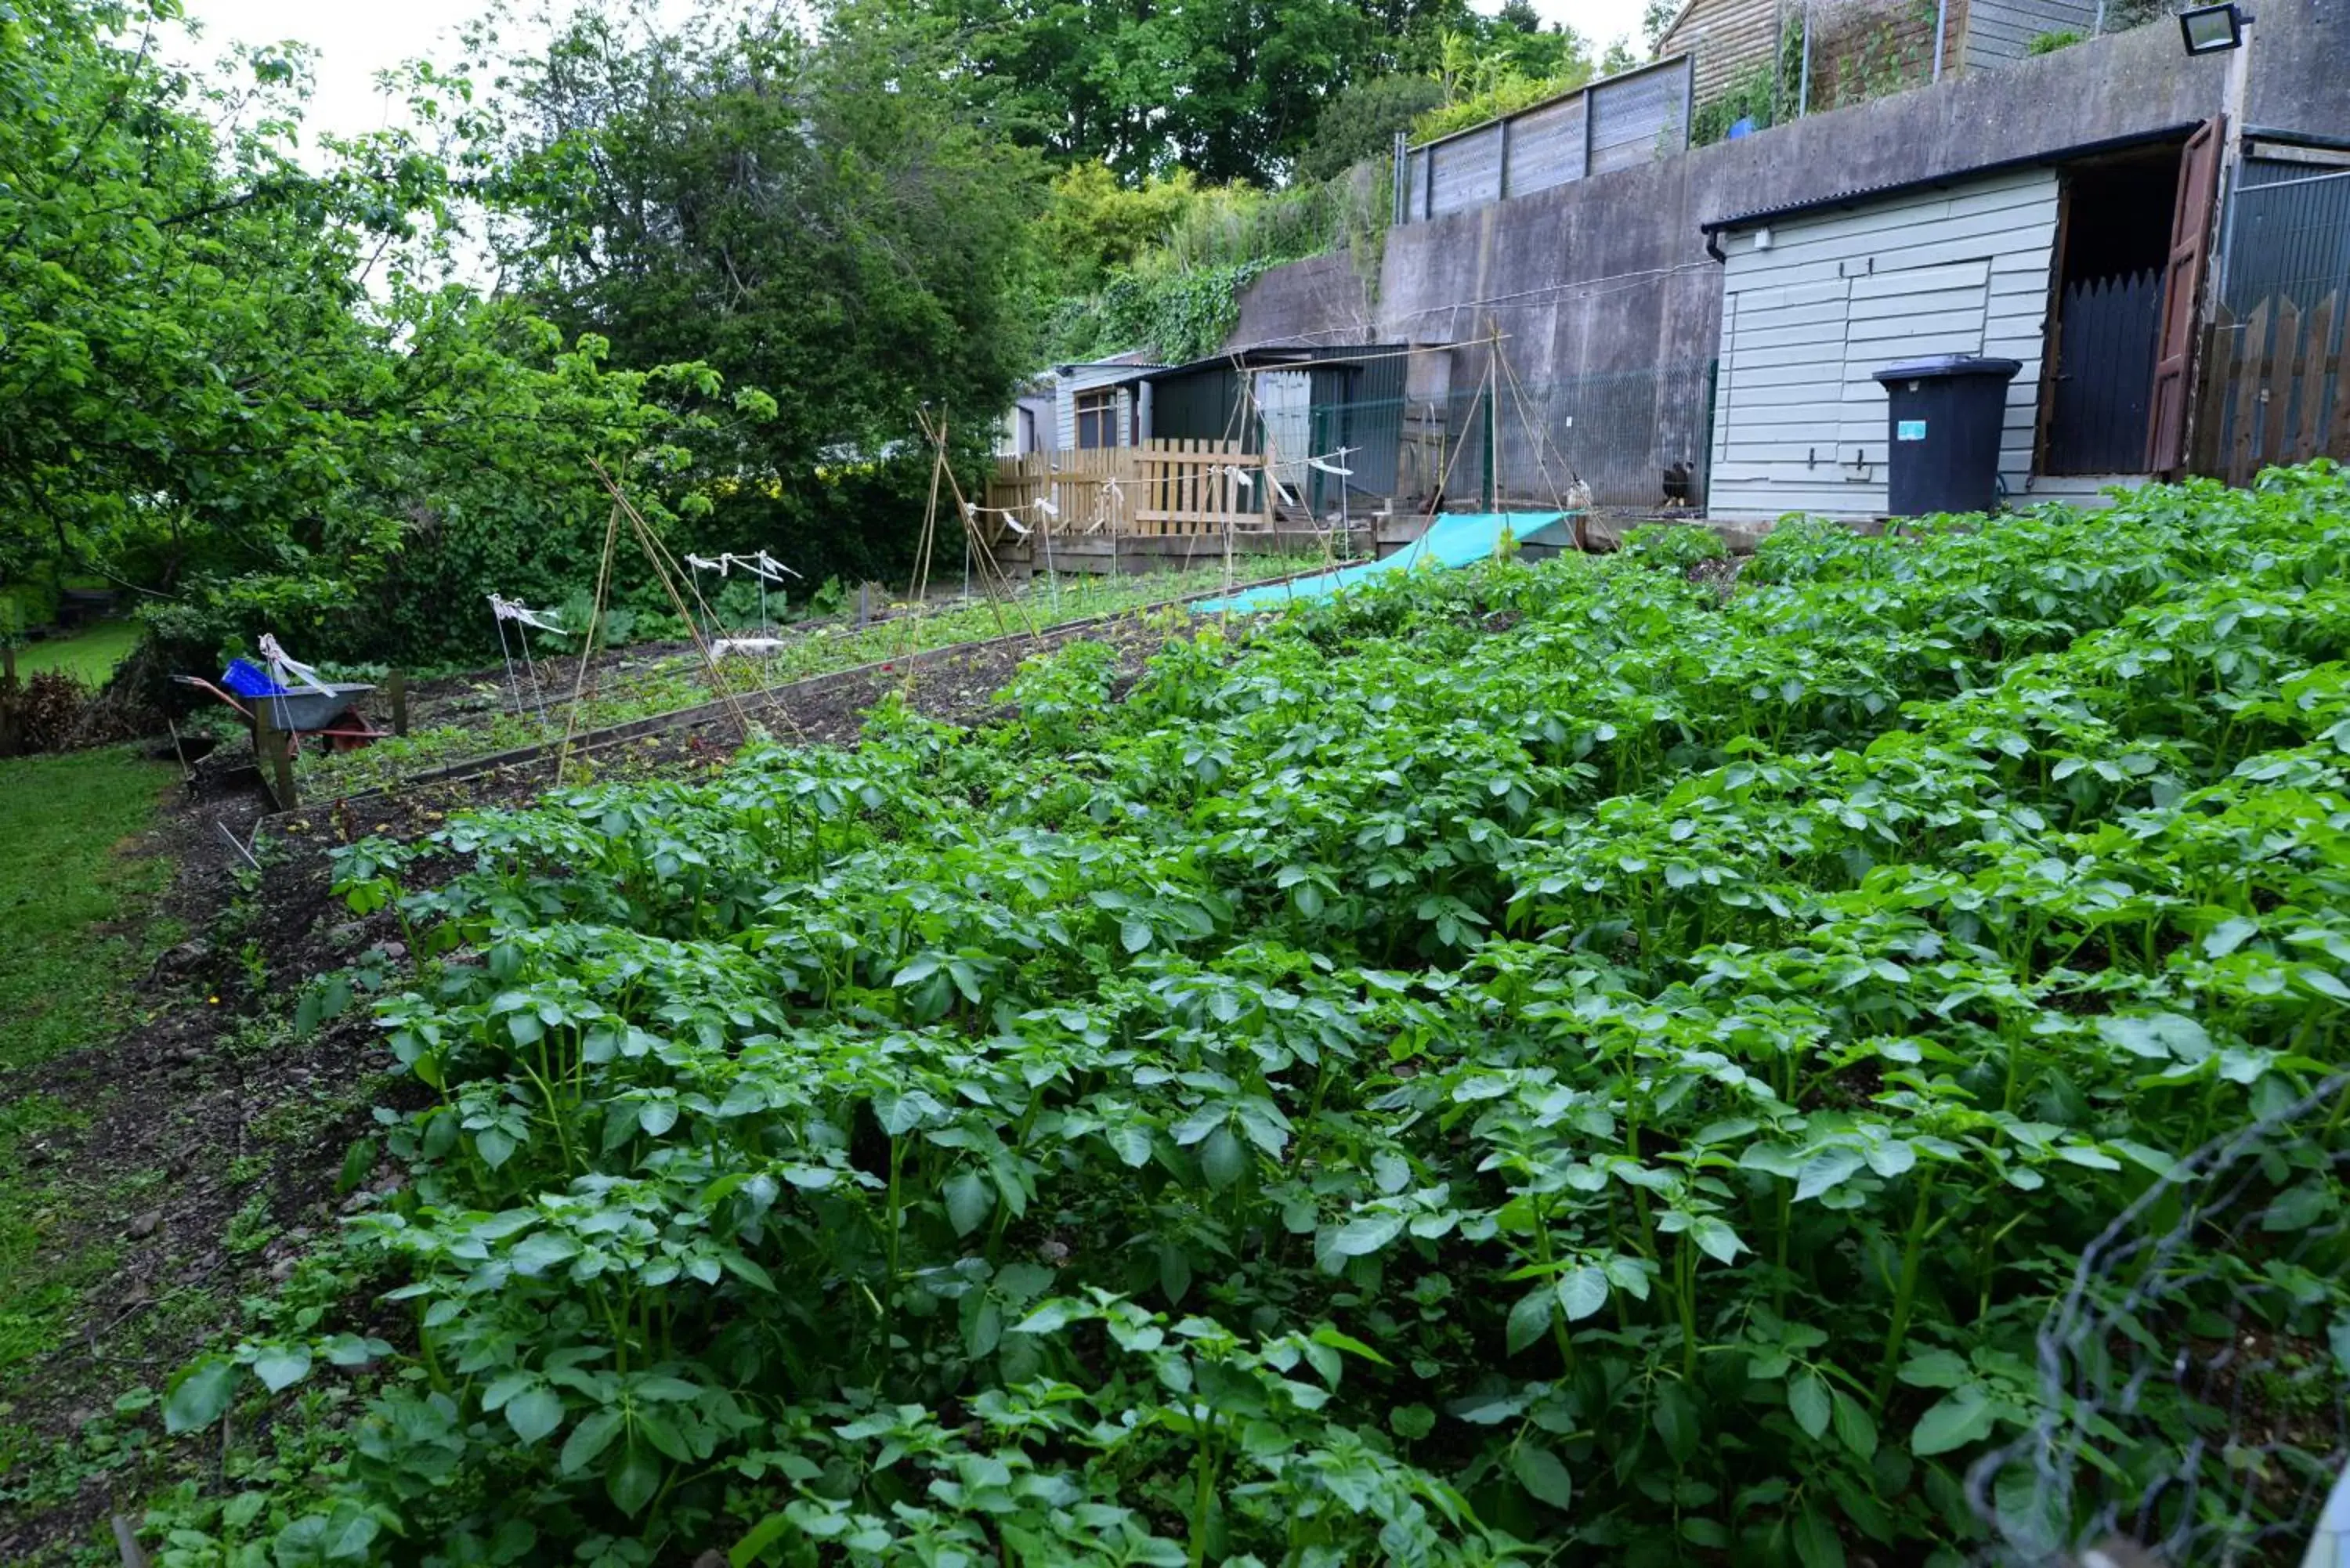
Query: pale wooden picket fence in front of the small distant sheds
x=1157 y=488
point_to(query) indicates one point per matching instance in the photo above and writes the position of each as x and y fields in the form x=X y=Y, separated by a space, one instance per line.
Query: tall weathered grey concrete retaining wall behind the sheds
x=1613 y=274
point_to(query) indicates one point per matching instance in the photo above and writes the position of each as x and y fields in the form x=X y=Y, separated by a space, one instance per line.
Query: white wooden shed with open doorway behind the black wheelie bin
x=2060 y=267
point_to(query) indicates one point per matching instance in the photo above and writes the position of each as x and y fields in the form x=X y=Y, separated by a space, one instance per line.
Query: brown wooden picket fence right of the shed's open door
x=2276 y=389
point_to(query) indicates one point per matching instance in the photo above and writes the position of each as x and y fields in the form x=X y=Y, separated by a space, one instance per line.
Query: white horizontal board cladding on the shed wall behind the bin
x=1799 y=422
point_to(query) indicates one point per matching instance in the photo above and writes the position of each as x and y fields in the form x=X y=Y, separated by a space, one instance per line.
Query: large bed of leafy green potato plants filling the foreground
x=1538 y=1054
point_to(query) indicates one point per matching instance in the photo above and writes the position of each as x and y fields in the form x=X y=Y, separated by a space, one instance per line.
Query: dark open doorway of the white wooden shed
x=2114 y=239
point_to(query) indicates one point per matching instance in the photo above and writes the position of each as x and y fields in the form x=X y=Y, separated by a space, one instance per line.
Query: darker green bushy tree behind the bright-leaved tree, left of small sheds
x=805 y=215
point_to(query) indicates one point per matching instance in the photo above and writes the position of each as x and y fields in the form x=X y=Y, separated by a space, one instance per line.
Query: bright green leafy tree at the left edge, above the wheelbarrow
x=243 y=387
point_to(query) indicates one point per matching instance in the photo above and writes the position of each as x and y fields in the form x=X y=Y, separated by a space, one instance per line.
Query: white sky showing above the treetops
x=358 y=39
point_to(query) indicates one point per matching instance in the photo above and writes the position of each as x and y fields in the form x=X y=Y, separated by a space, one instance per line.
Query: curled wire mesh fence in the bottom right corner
x=2191 y=1381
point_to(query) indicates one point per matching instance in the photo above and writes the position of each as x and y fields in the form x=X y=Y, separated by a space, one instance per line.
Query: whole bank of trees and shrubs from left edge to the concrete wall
x=737 y=255
